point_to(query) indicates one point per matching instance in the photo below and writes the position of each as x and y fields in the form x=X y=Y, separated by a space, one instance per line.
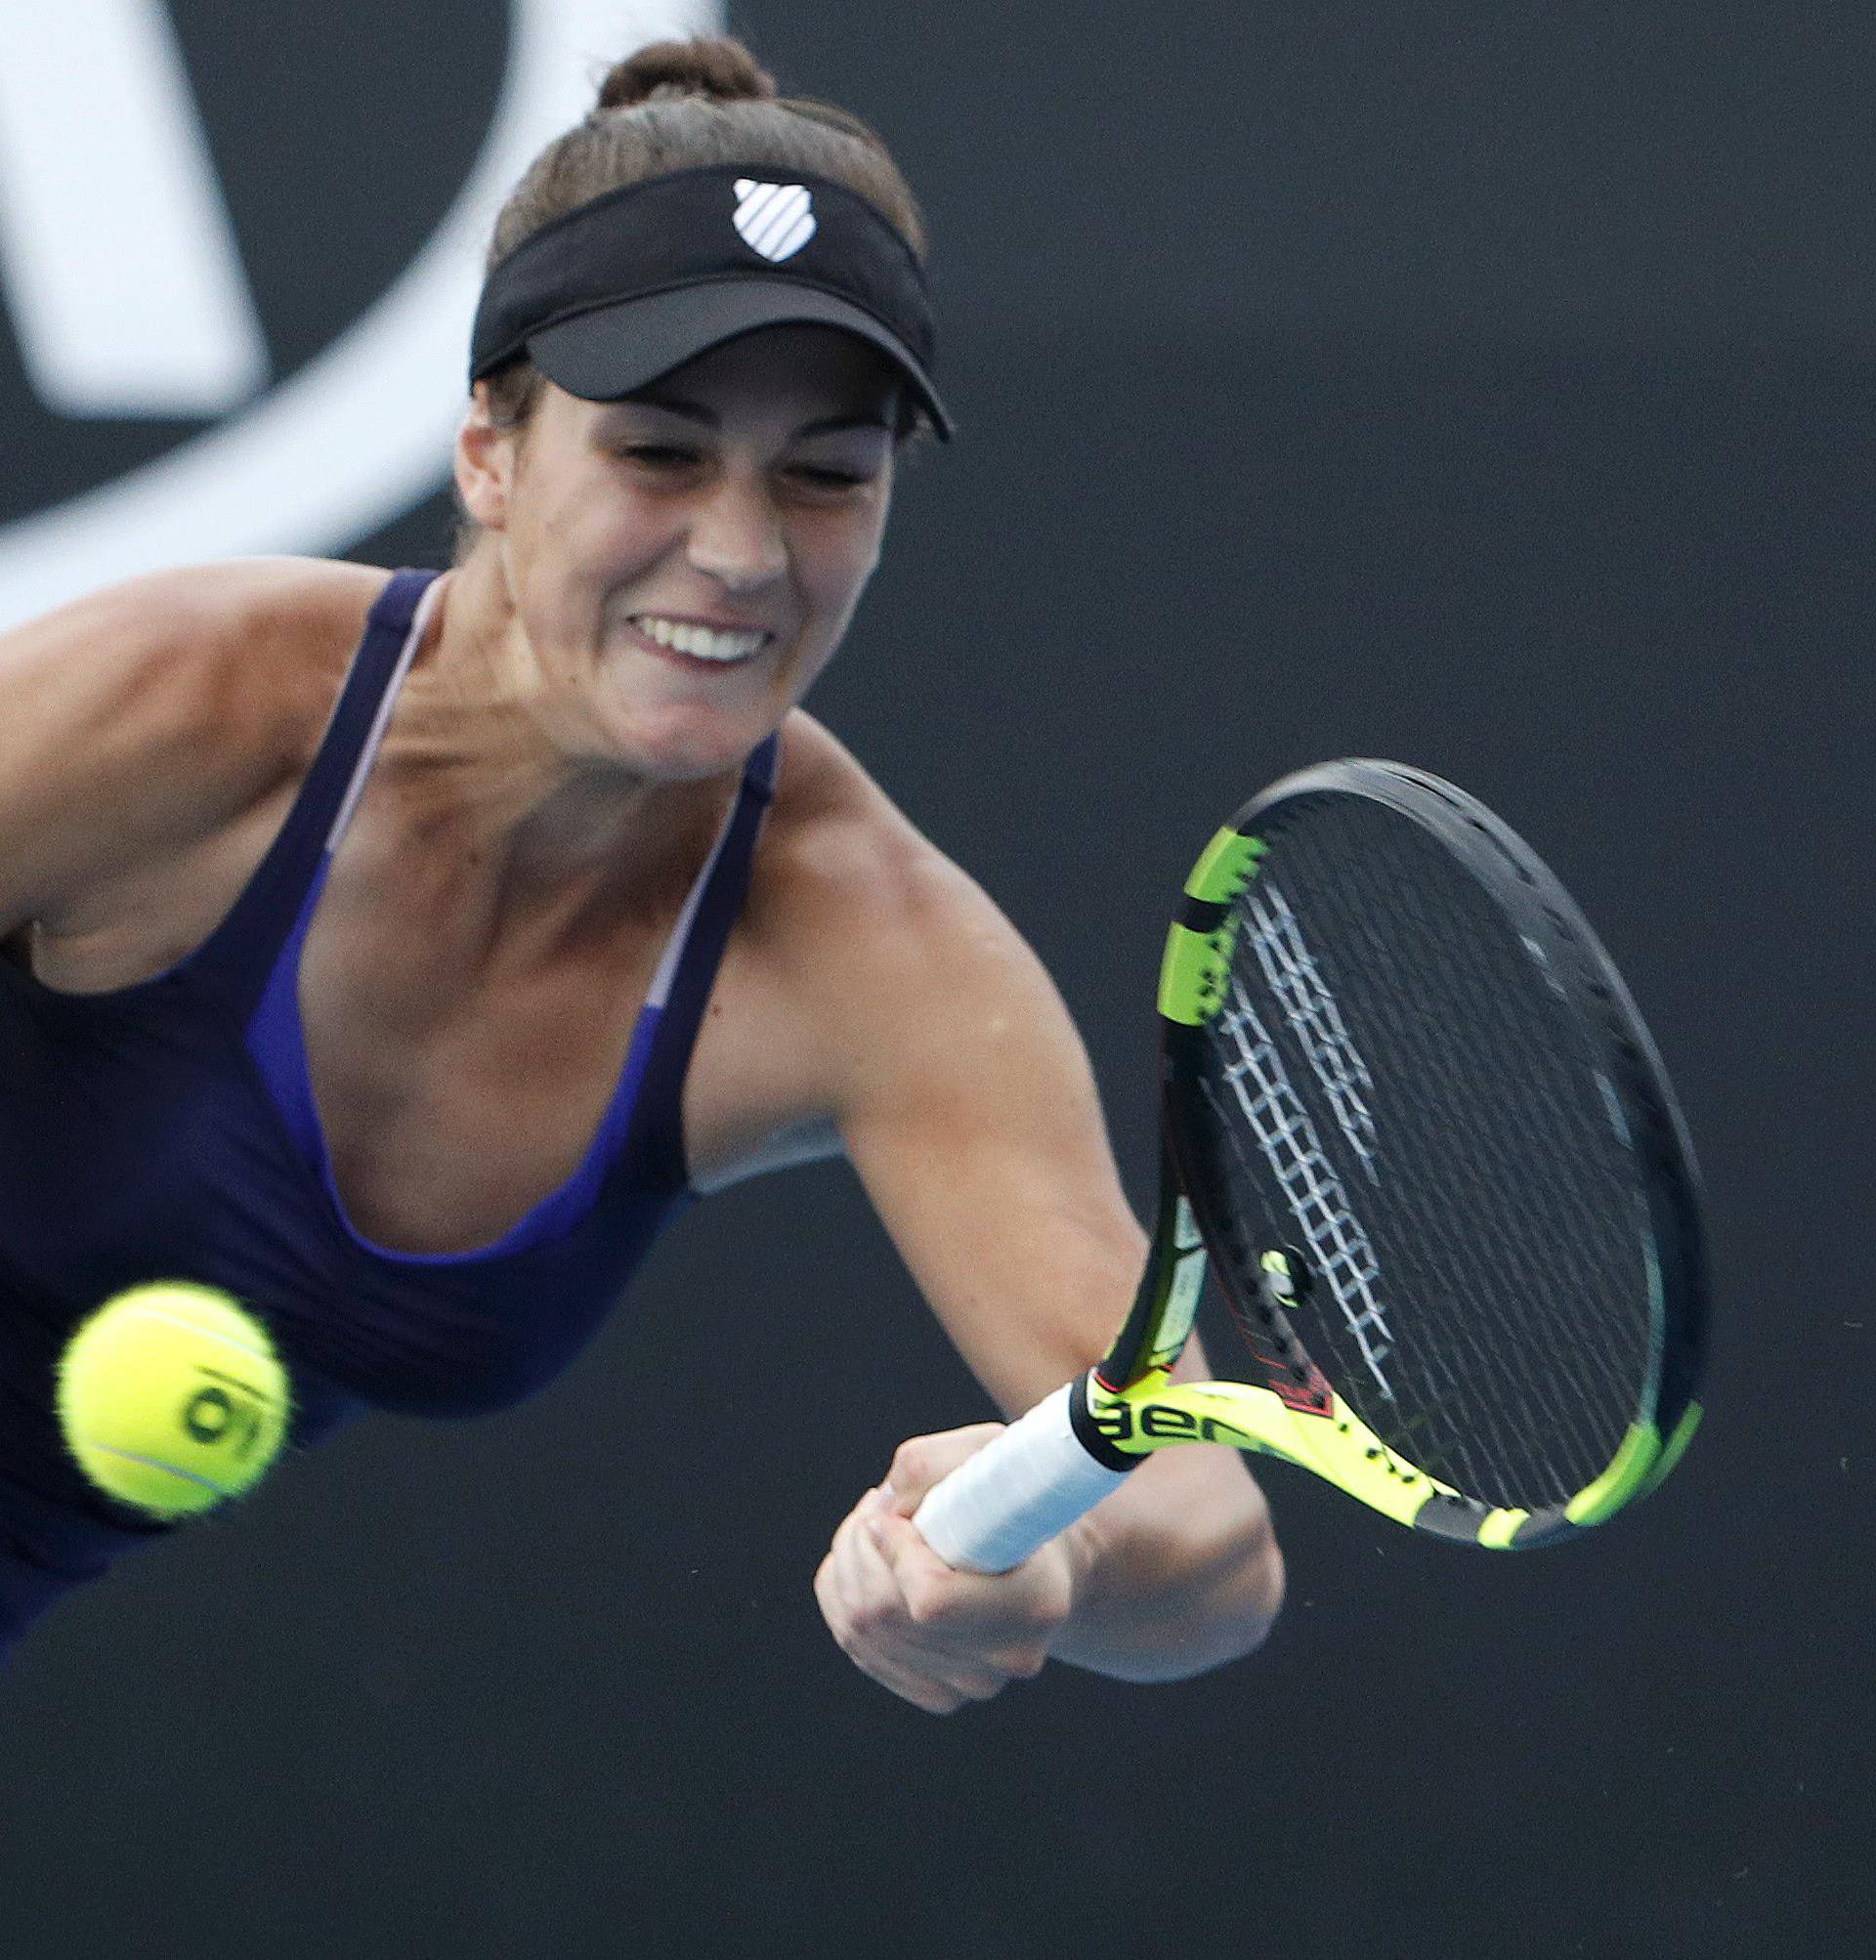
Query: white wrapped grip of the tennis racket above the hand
x=1016 y=1494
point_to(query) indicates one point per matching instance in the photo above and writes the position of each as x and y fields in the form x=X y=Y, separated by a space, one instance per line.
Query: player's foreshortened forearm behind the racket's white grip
x=1177 y=1573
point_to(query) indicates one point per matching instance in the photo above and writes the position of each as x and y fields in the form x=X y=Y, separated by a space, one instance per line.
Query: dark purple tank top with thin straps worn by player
x=170 y=1132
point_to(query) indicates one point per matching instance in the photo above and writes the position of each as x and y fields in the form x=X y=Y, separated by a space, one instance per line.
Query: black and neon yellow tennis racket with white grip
x=1414 y=1124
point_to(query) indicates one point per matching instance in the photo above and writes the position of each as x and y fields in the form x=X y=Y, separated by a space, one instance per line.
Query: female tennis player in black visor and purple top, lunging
x=403 y=954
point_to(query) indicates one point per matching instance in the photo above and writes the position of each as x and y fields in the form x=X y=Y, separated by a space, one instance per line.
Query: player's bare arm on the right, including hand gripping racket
x=971 y=1116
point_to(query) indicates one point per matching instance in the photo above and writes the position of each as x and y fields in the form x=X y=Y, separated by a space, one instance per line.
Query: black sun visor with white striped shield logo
x=624 y=289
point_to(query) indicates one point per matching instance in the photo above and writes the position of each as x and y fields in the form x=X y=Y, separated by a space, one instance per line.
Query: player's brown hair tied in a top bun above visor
x=681 y=107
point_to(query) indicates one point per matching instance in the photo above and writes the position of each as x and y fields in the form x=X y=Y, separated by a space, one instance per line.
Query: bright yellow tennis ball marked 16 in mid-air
x=172 y=1398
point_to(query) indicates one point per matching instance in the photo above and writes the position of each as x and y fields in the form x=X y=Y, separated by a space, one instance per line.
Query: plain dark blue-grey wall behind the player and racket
x=1485 y=387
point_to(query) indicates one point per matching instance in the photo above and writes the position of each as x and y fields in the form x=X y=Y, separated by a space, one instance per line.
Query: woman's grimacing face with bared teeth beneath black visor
x=683 y=563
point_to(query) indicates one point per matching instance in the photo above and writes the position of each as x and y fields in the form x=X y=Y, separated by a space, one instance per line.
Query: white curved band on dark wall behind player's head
x=364 y=432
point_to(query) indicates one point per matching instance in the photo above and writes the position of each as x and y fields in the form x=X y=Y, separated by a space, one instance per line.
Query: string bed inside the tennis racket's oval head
x=1401 y=1087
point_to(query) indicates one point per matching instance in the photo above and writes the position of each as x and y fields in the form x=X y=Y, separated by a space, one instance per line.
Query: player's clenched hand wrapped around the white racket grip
x=903 y=1616
